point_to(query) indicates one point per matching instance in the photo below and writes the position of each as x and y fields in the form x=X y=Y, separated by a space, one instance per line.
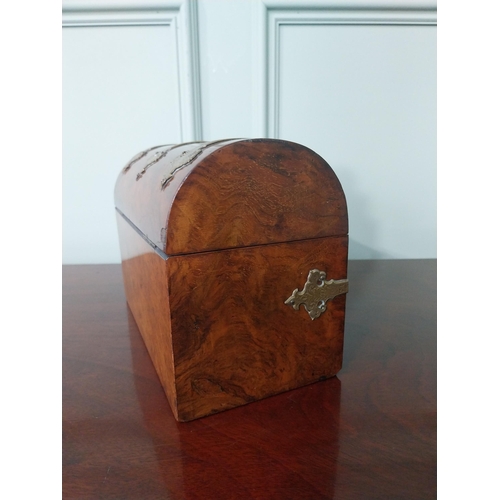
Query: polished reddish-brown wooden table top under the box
x=368 y=433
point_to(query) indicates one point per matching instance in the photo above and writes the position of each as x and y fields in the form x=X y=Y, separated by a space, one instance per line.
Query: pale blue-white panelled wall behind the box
x=354 y=80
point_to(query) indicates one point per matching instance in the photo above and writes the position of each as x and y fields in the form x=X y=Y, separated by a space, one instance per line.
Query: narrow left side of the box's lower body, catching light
x=145 y=281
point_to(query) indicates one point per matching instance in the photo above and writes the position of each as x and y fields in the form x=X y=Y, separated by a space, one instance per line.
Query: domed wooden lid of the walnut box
x=236 y=193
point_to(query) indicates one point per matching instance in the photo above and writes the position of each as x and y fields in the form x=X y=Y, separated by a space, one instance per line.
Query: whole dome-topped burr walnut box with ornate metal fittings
x=234 y=258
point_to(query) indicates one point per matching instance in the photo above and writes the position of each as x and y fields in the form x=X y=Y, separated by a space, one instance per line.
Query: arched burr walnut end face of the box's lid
x=256 y=192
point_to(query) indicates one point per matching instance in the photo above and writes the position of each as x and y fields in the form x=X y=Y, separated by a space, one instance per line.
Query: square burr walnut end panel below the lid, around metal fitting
x=234 y=338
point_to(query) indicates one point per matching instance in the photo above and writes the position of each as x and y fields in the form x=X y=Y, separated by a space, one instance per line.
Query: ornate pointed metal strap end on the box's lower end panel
x=316 y=293
